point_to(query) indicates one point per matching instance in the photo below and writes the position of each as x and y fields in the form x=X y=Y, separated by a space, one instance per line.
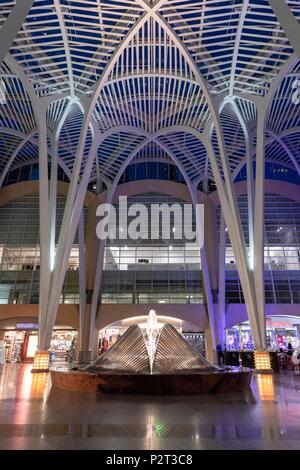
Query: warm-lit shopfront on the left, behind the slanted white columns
x=21 y=342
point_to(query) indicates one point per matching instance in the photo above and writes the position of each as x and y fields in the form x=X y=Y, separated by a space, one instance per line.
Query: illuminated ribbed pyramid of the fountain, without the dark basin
x=158 y=350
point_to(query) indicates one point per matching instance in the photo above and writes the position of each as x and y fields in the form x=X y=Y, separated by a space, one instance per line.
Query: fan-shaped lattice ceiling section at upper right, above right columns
x=237 y=45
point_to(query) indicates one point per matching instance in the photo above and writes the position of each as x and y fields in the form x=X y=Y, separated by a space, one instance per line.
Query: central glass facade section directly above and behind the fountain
x=152 y=271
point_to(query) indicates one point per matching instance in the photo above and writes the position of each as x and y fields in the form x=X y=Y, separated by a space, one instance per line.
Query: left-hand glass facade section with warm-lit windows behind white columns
x=20 y=254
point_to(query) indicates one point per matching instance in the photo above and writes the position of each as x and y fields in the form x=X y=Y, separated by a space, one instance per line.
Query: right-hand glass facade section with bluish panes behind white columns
x=282 y=252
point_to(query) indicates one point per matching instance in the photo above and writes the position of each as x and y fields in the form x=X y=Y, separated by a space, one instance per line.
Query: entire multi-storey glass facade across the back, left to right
x=148 y=271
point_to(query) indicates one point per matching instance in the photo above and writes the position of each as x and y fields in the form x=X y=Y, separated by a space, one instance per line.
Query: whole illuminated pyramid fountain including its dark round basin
x=157 y=360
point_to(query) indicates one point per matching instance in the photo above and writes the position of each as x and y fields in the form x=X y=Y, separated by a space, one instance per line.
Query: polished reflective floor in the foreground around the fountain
x=35 y=416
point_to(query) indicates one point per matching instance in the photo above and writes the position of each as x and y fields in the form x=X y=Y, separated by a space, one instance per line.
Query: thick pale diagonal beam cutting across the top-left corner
x=12 y=26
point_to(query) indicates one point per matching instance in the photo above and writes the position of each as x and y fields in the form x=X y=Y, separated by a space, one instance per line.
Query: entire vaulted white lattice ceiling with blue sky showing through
x=144 y=59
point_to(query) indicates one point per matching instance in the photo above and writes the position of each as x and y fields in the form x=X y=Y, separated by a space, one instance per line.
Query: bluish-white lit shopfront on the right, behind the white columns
x=281 y=330
